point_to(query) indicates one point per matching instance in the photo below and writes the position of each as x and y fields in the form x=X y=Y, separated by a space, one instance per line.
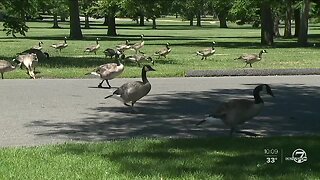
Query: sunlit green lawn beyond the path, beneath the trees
x=72 y=62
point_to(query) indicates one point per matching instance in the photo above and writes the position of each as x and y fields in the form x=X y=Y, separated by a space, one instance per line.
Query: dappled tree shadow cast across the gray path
x=294 y=111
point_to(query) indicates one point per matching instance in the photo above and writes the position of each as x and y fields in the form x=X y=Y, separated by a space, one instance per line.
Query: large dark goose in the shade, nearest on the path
x=238 y=111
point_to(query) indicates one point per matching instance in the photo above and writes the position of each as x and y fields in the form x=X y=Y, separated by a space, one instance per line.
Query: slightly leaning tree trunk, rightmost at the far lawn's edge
x=303 y=32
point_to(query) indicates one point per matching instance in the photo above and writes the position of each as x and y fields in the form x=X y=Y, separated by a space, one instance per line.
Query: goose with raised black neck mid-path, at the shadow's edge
x=133 y=91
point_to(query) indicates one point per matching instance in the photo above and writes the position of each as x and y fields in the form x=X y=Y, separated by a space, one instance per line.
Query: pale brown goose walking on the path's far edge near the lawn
x=108 y=71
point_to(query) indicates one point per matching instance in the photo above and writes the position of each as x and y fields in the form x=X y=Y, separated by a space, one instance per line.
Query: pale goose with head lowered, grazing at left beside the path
x=29 y=61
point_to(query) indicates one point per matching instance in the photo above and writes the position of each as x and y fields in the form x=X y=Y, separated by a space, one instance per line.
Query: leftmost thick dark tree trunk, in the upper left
x=75 y=26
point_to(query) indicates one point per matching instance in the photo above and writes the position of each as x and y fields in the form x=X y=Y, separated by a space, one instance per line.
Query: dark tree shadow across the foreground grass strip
x=202 y=158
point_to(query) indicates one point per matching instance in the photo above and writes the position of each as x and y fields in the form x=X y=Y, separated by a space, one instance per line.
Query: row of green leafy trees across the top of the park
x=260 y=13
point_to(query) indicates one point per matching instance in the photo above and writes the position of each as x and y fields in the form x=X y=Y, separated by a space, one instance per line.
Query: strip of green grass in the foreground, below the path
x=198 y=158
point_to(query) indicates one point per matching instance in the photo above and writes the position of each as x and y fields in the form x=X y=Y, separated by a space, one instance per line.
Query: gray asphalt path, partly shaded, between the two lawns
x=46 y=111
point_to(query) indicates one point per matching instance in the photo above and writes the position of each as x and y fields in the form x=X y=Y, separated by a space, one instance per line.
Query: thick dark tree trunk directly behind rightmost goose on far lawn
x=266 y=24
